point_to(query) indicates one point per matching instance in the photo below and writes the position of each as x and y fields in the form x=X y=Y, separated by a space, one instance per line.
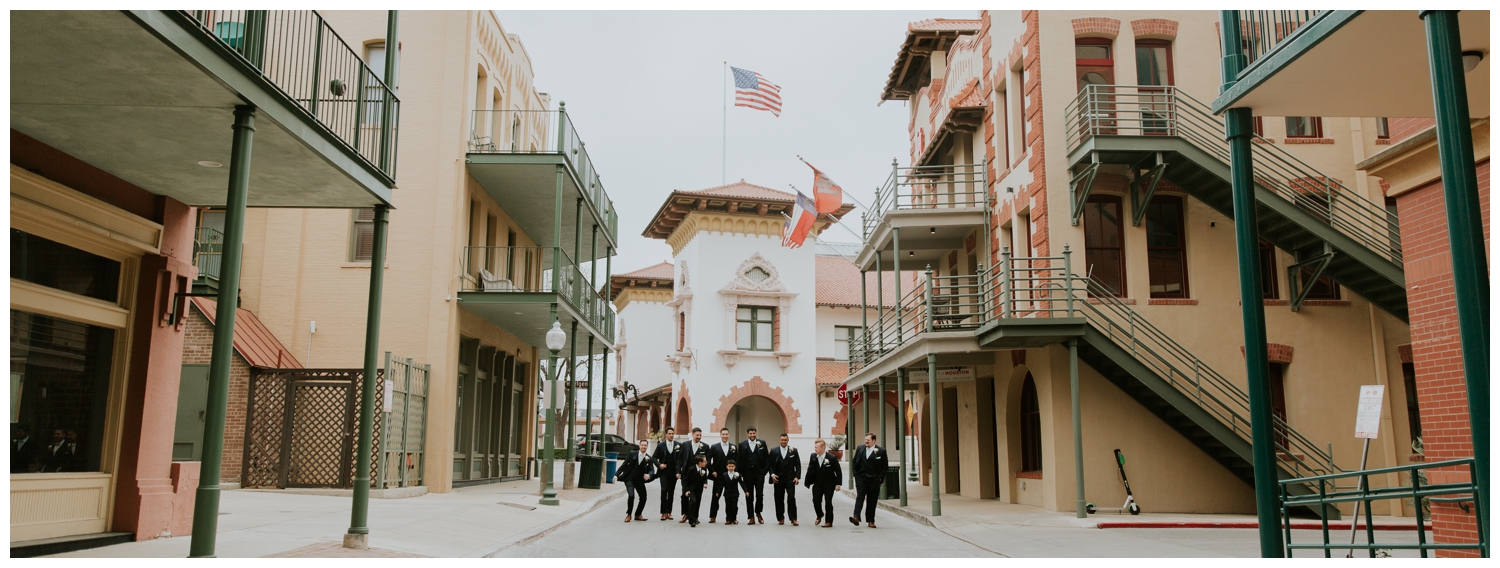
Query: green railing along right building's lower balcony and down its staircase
x=1046 y=287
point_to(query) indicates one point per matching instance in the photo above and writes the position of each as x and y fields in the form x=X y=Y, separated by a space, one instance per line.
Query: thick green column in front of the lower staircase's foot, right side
x=1238 y=130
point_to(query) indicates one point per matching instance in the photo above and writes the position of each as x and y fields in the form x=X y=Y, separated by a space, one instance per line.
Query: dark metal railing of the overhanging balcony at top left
x=301 y=55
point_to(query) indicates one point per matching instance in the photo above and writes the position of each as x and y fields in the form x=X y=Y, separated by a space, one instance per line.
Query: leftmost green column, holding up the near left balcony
x=206 y=507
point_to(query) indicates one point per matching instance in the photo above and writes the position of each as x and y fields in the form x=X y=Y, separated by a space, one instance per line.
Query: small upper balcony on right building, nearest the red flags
x=923 y=214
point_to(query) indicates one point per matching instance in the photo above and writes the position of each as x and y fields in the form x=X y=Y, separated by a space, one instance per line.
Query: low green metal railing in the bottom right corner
x=1330 y=495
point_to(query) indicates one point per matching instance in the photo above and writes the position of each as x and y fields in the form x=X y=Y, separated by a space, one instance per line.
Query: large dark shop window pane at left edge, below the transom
x=59 y=393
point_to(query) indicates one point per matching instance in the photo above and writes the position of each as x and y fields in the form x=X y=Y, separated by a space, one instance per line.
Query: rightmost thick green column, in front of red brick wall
x=1456 y=152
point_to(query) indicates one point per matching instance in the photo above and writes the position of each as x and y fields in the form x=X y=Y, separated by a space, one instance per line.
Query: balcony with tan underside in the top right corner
x=1348 y=64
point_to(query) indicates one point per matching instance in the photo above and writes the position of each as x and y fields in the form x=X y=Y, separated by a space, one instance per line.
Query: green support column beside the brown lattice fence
x=359 y=525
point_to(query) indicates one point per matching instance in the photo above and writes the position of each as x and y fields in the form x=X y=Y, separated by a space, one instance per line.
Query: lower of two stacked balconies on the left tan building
x=515 y=288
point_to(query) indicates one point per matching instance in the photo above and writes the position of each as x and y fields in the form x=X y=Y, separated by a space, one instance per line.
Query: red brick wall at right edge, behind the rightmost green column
x=1435 y=341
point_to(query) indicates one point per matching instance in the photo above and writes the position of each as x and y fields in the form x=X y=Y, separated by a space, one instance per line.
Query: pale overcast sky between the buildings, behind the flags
x=646 y=92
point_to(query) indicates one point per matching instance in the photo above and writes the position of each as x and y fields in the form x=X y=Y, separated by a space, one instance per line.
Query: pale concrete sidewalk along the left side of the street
x=470 y=522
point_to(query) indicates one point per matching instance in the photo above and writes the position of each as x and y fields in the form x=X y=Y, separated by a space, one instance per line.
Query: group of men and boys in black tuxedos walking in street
x=686 y=471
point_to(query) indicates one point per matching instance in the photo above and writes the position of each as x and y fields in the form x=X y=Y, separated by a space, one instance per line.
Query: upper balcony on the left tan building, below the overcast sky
x=515 y=157
